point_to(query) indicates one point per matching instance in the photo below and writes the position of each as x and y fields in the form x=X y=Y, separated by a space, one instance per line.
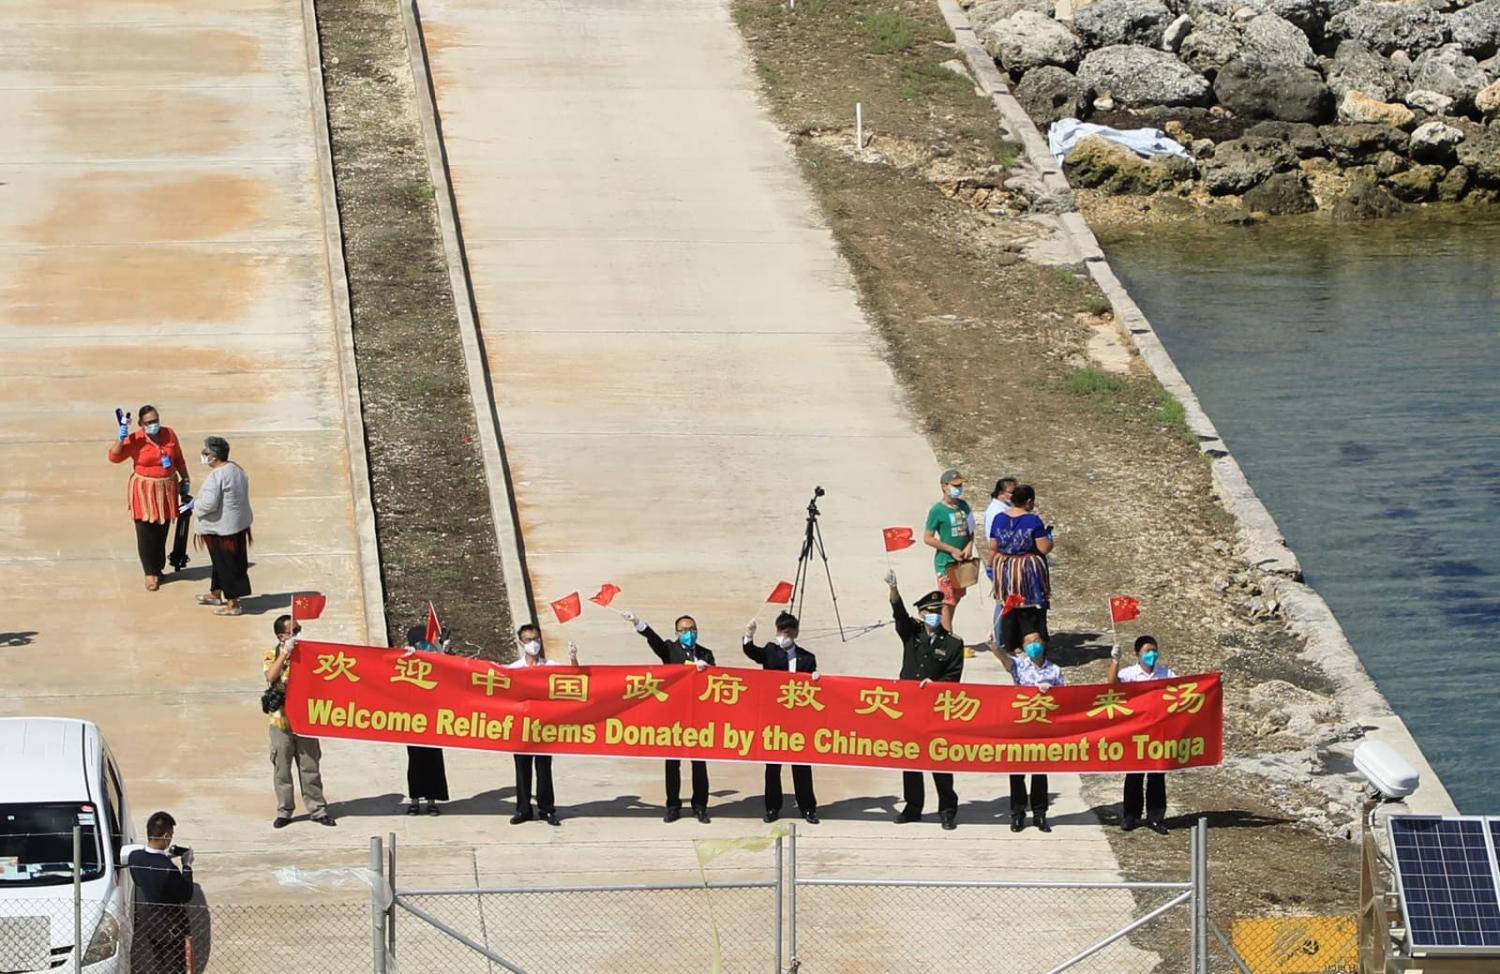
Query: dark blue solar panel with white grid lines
x=1447 y=876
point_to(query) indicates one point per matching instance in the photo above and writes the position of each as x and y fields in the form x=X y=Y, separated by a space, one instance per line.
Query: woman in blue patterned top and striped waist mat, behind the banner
x=1021 y=544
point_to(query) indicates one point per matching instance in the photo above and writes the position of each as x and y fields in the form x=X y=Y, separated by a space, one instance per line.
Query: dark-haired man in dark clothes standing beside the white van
x=161 y=895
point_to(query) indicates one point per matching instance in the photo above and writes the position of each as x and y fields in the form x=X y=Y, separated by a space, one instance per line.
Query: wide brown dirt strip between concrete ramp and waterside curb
x=992 y=355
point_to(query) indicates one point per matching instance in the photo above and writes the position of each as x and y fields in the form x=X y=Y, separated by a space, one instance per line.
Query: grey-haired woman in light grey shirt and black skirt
x=224 y=528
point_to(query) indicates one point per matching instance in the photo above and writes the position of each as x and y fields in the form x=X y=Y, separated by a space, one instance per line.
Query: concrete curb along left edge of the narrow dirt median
x=373 y=583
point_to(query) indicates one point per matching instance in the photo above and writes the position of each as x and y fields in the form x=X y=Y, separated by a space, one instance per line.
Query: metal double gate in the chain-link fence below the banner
x=790 y=921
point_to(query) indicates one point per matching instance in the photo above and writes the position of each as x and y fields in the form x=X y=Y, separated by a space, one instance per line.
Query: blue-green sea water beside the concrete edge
x=1354 y=370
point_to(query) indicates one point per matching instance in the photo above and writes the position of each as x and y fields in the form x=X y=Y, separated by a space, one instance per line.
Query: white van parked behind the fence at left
x=58 y=774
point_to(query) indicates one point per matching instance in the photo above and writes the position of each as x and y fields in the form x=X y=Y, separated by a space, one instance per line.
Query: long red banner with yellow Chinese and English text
x=737 y=714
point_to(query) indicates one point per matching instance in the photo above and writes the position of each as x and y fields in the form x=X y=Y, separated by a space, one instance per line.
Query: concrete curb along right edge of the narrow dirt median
x=493 y=446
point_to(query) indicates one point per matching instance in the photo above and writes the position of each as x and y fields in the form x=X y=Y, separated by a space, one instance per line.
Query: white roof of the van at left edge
x=49 y=759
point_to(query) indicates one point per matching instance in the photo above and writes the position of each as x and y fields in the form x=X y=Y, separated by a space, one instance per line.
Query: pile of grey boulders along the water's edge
x=1360 y=109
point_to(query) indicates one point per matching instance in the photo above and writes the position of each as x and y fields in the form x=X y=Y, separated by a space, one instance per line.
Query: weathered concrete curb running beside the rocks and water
x=1309 y=616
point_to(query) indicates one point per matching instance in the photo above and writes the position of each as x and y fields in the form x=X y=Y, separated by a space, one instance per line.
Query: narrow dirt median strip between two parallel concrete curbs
x=433 y=519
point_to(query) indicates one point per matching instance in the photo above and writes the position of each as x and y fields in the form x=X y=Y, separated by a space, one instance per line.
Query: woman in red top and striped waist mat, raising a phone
x=157 y=482
